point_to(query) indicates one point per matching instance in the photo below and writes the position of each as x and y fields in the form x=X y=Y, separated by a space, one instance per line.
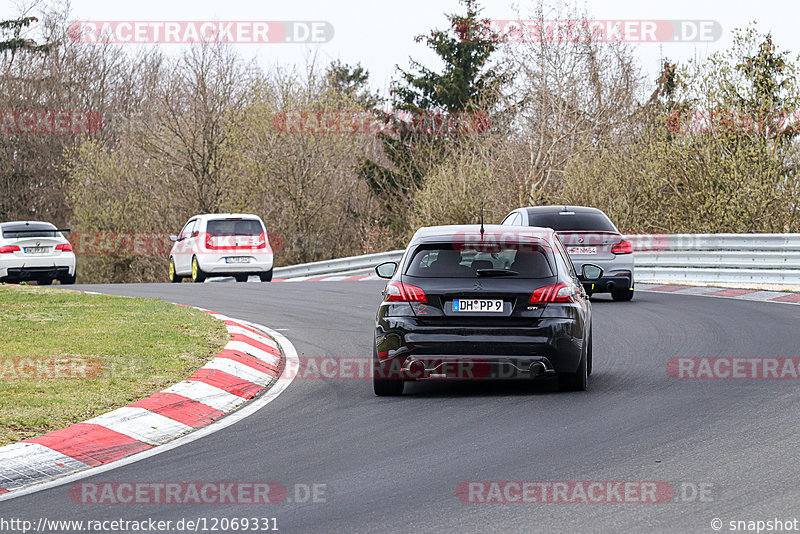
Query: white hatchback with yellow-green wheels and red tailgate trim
x=223 y=244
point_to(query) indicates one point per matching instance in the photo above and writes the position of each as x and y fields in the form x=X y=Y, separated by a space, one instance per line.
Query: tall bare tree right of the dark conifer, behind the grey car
x=569 y=95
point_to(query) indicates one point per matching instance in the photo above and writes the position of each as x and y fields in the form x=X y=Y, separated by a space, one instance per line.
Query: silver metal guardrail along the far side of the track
x=754 y=258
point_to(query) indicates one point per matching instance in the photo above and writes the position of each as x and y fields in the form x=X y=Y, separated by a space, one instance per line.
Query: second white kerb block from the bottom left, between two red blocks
x=141 y=424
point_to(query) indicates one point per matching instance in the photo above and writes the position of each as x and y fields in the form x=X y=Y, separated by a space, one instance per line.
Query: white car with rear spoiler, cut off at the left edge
x=35 y=251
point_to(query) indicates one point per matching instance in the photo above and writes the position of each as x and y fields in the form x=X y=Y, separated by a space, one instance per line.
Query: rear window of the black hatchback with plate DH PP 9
x=455 y=260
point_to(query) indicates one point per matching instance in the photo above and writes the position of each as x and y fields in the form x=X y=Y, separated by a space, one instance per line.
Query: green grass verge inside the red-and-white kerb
x=67 y=356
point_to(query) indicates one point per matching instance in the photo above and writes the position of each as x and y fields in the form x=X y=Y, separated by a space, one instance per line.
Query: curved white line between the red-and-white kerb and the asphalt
x=280 y=385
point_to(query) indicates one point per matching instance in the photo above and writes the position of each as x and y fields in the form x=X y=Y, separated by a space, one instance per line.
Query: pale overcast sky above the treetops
x=380 y=34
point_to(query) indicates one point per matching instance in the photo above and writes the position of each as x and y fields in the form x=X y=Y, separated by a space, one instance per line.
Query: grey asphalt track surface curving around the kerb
x=393 y=464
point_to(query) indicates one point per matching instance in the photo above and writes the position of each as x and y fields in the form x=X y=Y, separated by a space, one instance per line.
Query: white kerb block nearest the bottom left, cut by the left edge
x=22 y=463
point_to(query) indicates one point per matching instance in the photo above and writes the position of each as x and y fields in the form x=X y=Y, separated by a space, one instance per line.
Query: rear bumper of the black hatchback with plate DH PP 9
x=477 y=352
